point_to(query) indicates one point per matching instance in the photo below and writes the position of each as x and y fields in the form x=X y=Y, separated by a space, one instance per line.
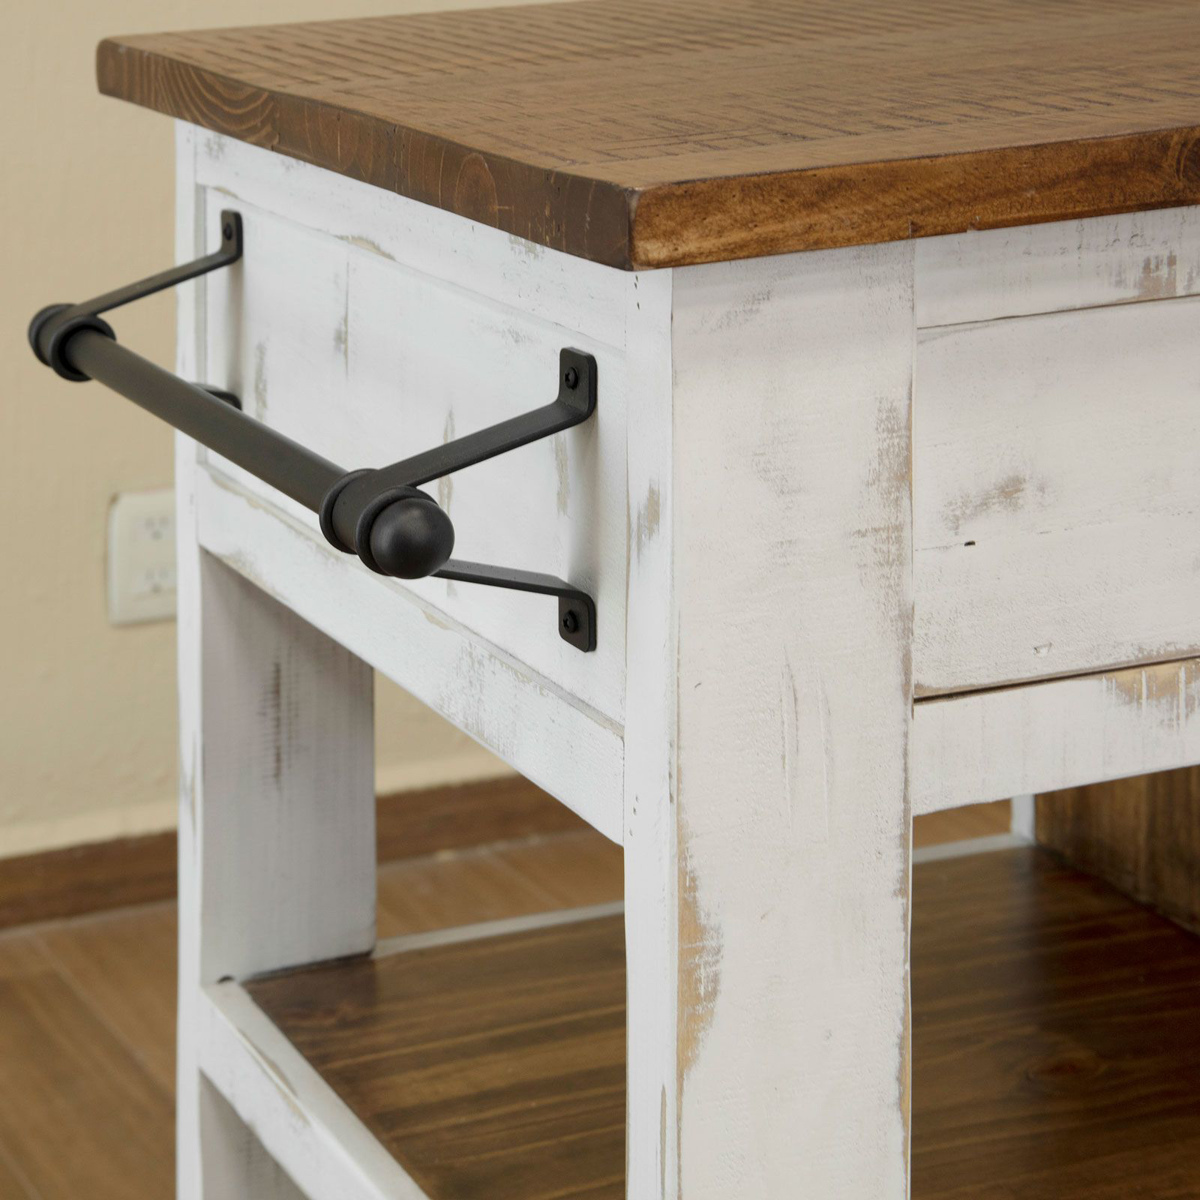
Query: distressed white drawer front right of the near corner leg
x=1057 y=495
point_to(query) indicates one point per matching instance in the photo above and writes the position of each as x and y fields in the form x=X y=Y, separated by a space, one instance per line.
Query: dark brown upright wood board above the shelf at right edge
x=1141 y=835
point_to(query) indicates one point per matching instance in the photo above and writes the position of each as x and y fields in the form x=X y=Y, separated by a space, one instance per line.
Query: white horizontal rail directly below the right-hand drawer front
x=1061 y=734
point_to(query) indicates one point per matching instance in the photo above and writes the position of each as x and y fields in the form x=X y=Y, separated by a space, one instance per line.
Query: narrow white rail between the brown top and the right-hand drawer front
x=1051 y=268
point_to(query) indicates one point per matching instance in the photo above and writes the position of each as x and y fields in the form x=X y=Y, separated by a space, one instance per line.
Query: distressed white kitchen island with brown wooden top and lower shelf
x=883 y=499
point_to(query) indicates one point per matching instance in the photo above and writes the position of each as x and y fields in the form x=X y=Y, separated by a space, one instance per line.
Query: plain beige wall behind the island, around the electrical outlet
x=87 y=711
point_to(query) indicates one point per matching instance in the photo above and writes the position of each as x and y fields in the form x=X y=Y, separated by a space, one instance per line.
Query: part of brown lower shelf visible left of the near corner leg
x=491 y=1069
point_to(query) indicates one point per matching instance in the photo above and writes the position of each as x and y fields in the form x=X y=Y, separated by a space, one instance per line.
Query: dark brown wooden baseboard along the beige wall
x=140 y=871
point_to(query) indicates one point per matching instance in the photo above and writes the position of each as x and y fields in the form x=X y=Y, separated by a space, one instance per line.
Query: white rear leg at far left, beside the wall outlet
x=277 y=843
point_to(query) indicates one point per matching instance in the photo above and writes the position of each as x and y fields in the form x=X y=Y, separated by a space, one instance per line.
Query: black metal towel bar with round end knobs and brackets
x=377 y=514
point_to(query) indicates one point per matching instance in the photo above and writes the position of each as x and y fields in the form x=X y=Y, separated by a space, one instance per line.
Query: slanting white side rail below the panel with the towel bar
x=574 y=753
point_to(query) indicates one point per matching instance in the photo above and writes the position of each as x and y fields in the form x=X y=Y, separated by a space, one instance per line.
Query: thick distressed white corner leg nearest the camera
x=767 y=731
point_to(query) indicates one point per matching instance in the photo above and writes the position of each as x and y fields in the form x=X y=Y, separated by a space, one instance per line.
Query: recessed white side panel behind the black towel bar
x=367 y=361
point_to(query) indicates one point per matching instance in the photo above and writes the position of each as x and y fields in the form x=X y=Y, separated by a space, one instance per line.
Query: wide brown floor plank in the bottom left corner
x=79 y=1114
